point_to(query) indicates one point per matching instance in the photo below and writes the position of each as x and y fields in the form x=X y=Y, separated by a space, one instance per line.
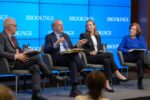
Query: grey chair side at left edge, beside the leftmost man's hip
x=4 y=66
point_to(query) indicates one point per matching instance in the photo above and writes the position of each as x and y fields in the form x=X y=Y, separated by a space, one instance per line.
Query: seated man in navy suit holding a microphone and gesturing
x=58 y=41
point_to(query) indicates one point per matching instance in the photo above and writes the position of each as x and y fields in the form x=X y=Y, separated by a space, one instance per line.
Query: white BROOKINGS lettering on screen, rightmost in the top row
x=117 y=19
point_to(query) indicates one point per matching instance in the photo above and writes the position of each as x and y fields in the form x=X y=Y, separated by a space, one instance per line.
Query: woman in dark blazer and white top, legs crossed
x=92 y=48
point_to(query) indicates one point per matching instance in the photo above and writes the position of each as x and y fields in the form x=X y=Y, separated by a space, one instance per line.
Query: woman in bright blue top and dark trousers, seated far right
x=134 y=40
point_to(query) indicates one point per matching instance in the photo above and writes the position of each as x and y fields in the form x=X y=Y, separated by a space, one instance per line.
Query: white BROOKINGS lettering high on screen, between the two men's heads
x=34 y=17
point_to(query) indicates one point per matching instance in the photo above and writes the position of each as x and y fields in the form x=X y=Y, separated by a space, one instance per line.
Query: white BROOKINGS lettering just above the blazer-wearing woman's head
x=80 y=18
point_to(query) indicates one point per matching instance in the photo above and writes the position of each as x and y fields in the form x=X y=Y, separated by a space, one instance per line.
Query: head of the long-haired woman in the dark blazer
x=91 y=28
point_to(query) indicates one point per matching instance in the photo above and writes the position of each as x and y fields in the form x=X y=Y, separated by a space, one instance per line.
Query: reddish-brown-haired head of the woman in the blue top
x=135 y=29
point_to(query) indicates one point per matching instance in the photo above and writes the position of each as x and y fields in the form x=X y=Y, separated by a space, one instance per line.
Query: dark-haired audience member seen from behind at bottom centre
x=96 y=83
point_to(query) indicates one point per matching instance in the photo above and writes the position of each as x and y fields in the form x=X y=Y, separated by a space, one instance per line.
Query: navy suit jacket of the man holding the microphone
x=50 y=39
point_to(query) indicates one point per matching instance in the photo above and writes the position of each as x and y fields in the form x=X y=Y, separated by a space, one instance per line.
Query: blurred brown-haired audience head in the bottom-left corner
x=6 y=93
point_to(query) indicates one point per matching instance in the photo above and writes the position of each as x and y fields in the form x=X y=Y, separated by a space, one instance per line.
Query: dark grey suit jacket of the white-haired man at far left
x=7 y=50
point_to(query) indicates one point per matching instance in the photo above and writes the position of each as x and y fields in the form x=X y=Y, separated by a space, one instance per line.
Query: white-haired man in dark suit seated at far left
x=10 y=50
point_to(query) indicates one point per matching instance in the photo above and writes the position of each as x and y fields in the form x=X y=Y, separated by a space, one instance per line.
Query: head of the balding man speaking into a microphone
x=57 y=26
